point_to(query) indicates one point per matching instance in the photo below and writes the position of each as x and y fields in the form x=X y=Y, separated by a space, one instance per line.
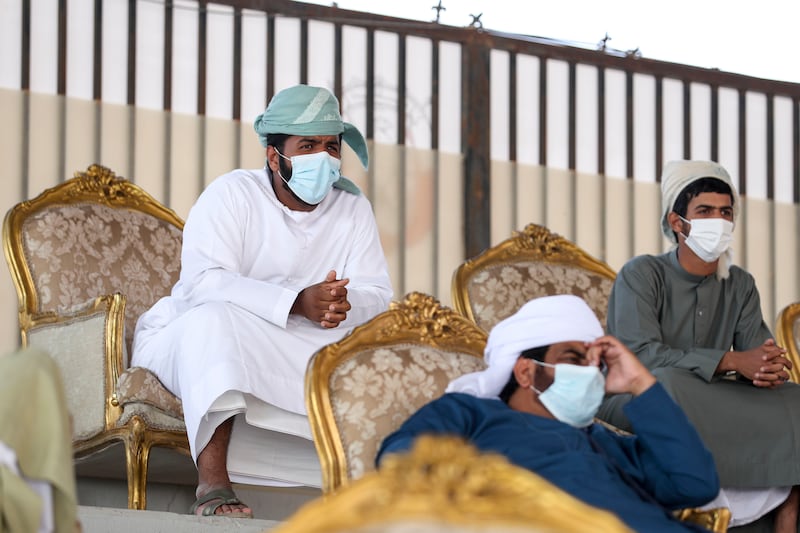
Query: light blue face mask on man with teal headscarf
x=313 y=175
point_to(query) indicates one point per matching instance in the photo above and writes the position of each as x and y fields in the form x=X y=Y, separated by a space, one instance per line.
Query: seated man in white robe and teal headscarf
x=276 y=263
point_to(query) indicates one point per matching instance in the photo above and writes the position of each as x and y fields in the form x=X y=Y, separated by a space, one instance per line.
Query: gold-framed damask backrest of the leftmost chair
x=95 y=234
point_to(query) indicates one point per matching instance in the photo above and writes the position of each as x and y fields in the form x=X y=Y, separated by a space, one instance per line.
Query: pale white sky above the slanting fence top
x=743 y=37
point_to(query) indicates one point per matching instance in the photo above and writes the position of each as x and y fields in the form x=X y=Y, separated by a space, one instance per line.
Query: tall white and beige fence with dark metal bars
x=473 y=132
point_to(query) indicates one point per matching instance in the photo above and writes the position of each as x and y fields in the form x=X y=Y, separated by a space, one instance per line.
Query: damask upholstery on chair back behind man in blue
x=397 y=380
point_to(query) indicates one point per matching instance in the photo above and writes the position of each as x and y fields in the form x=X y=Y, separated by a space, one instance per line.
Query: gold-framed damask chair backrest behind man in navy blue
x=363 y=387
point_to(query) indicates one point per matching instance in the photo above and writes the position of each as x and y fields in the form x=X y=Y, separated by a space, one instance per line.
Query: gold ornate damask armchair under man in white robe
x=87 y=257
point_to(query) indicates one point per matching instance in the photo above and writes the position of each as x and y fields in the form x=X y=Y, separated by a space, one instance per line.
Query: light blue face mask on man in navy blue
x=575 y=395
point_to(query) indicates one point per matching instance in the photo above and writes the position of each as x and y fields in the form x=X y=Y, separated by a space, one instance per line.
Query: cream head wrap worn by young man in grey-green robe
x=677 y=176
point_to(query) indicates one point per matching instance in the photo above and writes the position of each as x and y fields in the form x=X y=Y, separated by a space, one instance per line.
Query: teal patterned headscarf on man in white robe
x=307 y=110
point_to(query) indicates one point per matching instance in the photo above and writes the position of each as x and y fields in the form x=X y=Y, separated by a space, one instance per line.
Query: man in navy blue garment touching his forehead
x=535 y=404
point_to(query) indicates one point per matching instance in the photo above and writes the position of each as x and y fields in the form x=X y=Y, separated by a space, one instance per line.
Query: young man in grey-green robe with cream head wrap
x=694 y=318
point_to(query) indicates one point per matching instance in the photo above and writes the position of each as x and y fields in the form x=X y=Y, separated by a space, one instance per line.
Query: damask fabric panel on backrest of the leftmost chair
x=80 y=251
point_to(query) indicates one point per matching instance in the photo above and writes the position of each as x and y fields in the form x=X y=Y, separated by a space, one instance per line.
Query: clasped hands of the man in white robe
x=324 y=302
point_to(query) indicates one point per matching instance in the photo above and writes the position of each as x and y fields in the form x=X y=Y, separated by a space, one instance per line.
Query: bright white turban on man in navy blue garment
x=540 y=322
